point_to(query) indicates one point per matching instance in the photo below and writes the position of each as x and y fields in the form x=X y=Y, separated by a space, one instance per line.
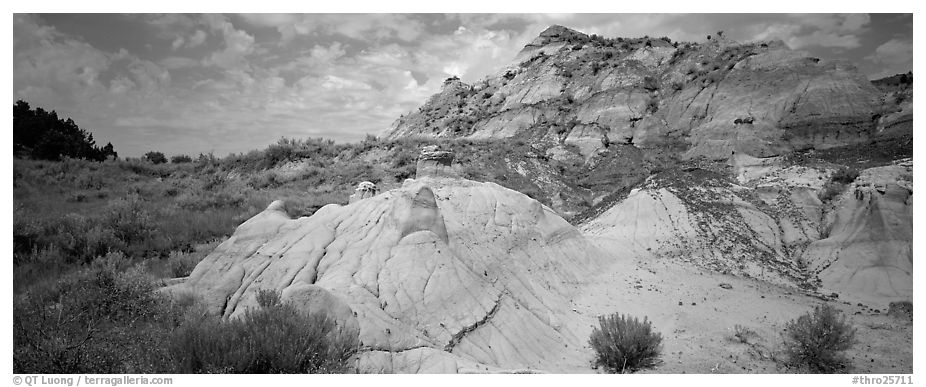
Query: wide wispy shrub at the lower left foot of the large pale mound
x=273 y=338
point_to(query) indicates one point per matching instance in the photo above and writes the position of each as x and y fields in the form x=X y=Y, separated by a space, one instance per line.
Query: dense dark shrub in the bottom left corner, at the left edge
x=102 y=319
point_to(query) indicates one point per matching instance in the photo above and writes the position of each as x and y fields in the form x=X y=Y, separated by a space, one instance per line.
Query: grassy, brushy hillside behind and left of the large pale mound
x=94 y=237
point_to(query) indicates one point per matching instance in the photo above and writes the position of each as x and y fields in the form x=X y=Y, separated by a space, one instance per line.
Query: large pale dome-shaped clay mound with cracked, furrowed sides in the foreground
x=440 y=275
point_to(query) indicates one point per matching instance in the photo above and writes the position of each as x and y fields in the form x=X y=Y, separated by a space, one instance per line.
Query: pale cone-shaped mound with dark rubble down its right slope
x=703 y=218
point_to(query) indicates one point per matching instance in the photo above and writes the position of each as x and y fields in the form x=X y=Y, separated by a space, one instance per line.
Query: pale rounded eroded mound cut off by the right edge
x=868 y=253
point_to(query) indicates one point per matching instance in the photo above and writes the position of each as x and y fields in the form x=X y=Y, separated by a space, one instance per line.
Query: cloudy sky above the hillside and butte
x=185 y=84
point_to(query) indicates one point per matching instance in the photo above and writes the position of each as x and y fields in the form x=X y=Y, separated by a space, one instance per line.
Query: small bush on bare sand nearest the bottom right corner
x=817 y=339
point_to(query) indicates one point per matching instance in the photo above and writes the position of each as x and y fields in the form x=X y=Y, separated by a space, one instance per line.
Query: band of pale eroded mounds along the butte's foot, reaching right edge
x=771 y=224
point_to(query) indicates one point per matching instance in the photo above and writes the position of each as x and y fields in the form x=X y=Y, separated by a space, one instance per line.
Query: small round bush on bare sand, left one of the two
x=623 y=343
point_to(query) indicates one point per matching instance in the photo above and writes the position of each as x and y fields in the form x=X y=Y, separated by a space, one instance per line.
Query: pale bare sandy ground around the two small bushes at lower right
x=696 y=317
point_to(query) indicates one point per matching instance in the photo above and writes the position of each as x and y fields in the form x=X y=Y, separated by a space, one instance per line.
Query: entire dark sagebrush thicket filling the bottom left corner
x=108 y=318
